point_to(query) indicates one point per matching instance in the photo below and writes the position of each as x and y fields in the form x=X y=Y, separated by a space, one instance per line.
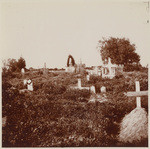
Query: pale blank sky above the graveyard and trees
x=49 y=30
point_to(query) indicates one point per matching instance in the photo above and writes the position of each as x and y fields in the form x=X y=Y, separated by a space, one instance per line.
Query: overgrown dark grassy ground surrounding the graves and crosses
x=55 y=115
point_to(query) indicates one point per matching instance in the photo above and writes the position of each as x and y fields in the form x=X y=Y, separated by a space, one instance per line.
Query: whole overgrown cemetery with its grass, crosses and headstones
x=75 y=108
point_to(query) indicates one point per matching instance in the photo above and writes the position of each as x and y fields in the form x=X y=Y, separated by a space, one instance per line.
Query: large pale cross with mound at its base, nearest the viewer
x=134 y=126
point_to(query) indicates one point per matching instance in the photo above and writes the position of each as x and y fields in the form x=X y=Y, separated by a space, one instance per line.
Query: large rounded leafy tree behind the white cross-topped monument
x=120 y=50
